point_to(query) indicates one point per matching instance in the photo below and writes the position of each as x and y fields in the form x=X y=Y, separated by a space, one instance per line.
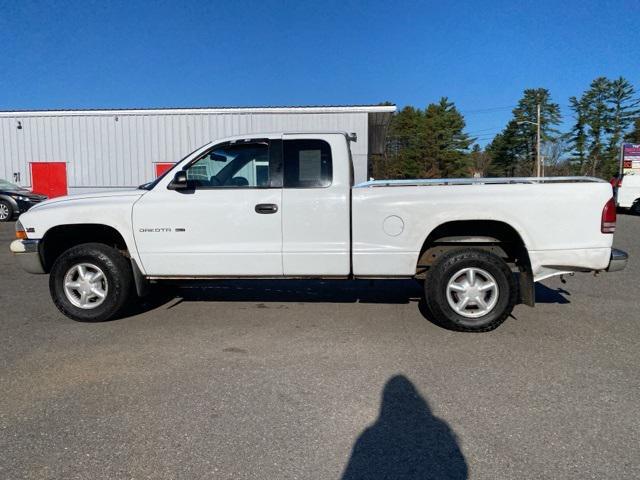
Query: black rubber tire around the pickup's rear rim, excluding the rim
x=447 y=267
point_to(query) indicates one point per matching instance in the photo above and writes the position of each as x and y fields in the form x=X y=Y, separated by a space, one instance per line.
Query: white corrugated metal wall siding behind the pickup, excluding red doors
x=119 y=150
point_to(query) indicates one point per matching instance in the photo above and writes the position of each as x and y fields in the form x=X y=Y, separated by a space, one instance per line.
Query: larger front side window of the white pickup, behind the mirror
x=244 y=165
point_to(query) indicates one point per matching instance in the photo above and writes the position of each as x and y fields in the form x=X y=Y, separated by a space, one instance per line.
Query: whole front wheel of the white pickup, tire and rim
x=91 y=282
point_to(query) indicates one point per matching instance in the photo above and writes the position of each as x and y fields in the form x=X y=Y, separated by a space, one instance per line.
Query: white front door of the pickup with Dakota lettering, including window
x=227 y=222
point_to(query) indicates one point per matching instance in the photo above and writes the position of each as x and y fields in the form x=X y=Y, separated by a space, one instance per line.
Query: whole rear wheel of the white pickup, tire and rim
x=470 y=290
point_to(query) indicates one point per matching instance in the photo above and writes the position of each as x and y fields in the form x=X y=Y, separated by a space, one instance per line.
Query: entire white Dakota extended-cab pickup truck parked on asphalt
x=284 y=206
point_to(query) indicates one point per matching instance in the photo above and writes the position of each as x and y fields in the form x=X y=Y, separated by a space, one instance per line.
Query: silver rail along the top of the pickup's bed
x=426 y=182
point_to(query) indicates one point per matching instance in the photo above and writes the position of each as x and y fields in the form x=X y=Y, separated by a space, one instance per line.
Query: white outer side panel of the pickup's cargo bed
x=558 y=219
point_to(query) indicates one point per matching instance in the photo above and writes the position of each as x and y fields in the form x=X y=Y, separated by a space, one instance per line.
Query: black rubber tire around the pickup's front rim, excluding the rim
x=117 y=272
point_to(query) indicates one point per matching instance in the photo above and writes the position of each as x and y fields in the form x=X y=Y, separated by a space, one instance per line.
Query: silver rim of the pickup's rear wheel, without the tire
x=472 y=292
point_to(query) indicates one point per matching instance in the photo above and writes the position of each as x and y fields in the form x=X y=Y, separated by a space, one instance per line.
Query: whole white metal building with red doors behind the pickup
x=97 y=149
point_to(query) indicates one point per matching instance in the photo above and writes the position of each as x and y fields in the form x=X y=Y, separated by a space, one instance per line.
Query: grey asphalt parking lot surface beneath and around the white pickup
x=321 y=380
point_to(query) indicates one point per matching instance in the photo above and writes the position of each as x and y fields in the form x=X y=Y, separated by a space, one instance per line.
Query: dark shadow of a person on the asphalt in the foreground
x=407 y=441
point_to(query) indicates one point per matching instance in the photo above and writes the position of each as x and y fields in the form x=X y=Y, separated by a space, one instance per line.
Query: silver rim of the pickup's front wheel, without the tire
x=85 y=286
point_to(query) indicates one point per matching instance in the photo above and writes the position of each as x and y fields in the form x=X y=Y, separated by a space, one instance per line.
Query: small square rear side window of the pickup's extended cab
x=307 y=164
